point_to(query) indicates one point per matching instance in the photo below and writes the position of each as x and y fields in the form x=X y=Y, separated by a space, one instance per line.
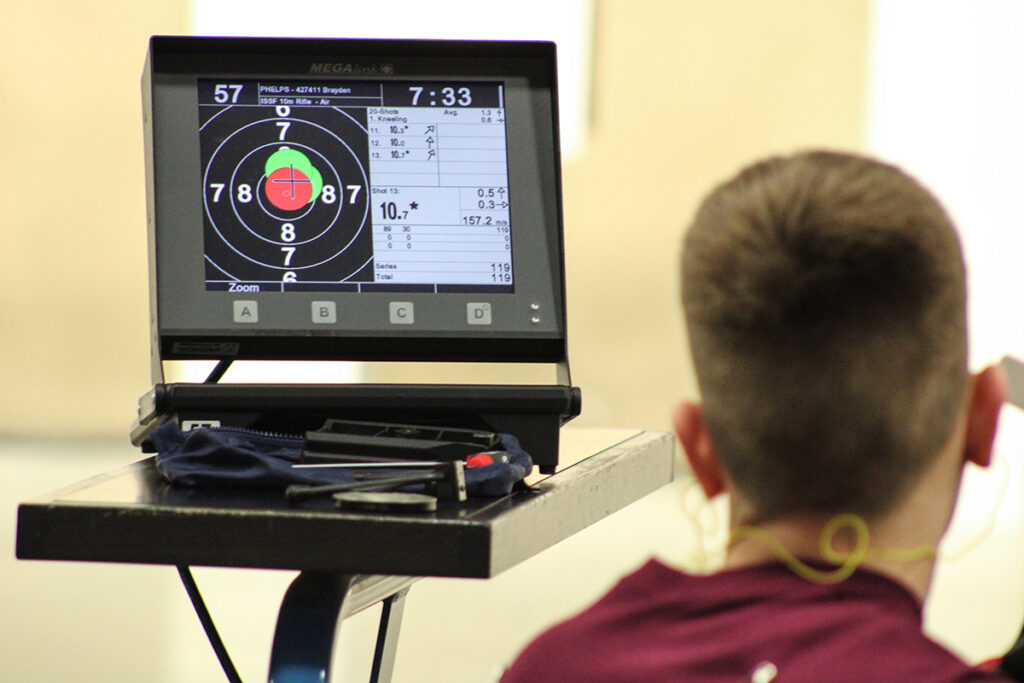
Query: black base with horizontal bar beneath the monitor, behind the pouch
x=533 y=414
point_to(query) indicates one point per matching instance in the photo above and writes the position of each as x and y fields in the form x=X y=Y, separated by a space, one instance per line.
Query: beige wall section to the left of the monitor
x=73 y=300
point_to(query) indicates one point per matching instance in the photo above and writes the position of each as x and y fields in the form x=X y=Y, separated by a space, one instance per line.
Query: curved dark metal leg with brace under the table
x=311 y=613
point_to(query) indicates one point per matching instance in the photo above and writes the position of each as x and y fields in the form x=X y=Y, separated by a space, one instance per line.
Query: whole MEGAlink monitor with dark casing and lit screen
x=354 y=200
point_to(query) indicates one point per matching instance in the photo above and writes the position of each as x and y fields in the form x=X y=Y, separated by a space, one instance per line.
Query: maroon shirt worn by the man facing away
x=743 y=625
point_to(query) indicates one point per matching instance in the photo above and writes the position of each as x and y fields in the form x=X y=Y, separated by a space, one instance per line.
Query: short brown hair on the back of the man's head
x=826 y=305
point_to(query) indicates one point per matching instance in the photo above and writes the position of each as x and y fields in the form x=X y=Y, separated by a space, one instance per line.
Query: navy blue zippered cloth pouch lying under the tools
x=236 y=458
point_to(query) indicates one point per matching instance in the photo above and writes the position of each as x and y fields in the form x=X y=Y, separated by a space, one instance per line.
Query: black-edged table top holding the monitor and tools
x=134 y=516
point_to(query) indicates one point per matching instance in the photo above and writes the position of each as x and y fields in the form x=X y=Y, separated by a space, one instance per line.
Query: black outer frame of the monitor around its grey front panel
x=176 y=58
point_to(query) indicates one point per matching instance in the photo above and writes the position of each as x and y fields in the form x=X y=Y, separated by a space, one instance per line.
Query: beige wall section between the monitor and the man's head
x=686 y=93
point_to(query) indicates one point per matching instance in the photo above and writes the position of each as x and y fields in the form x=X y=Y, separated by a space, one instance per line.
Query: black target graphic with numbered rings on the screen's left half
x=286 y=196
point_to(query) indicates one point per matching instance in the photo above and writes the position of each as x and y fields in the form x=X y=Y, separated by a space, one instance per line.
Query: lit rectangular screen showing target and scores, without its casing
x=355 y=186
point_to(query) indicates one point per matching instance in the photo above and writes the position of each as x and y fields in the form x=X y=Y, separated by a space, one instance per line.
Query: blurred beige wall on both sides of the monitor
x=685 y=93
